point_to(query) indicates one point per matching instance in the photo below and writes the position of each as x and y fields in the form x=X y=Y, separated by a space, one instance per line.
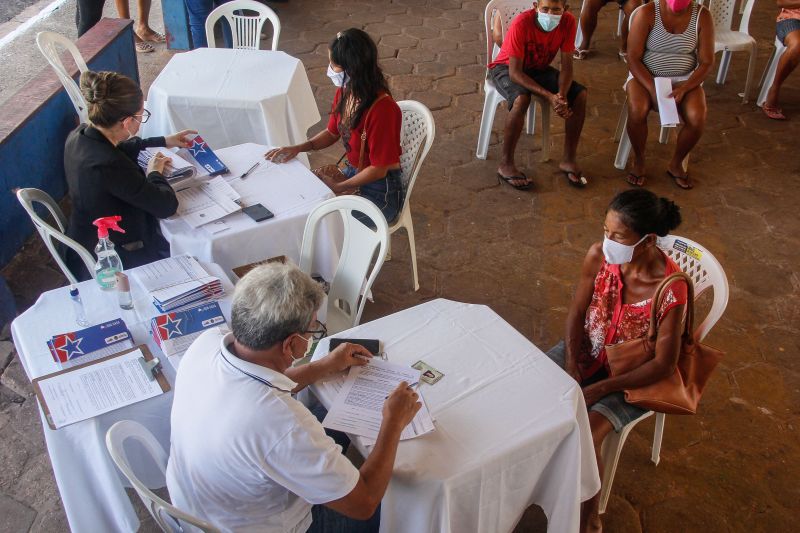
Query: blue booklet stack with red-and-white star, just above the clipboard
x=91 y=343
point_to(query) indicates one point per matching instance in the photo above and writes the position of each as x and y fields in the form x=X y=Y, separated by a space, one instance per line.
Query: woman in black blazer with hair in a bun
x=104 y=177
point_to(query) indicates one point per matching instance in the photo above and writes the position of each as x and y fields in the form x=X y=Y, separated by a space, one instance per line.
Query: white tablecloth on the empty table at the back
x=233 y=97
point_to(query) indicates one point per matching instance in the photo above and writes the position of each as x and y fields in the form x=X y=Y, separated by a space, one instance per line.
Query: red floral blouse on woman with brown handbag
x=609 y=321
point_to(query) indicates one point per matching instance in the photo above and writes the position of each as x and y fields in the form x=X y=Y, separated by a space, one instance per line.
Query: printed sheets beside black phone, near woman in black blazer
x=209 y=201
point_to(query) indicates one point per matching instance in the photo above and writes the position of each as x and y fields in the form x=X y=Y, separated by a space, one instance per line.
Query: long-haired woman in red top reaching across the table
x=362 y=105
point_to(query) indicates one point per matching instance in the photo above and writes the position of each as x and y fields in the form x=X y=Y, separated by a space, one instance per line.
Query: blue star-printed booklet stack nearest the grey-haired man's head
x=175 y=332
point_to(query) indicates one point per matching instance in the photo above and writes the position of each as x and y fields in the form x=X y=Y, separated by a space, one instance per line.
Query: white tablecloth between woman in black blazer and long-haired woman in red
x=289 y=190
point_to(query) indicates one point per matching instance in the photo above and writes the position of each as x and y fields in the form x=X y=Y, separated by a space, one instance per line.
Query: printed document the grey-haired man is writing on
x=358 y=408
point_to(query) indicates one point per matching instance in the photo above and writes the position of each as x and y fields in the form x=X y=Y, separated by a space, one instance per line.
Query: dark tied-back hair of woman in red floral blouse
x=646 y=213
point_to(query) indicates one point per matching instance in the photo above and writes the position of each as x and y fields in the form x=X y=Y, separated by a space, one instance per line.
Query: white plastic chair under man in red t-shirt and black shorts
x=507 y=9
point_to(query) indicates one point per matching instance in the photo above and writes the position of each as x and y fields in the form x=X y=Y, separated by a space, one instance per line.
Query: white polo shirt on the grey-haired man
x=245 y=456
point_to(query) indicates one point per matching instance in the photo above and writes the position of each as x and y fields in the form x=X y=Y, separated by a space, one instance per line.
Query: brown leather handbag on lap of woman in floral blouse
x=679 y=393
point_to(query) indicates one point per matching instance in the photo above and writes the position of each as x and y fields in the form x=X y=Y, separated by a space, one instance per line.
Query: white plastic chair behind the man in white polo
x=169 y=518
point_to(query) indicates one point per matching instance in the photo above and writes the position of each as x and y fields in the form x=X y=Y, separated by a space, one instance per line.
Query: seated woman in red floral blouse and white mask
x=611 y=305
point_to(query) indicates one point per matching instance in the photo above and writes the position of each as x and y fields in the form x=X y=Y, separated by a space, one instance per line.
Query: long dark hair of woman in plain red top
x=355 y=51
